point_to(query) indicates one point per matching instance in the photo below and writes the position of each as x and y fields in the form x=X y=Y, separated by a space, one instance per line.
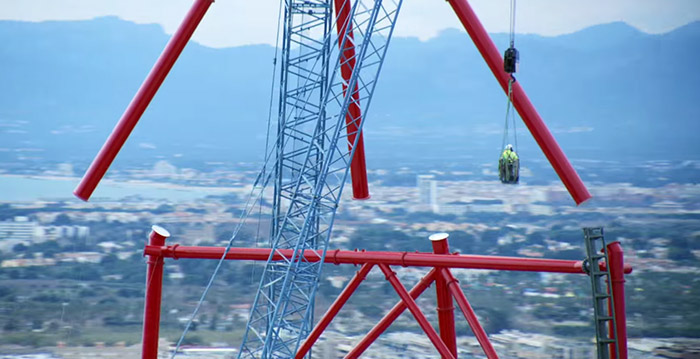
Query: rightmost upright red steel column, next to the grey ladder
x=617 y=270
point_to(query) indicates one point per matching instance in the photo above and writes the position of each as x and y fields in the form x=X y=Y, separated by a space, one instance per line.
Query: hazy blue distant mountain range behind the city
x=607 y=92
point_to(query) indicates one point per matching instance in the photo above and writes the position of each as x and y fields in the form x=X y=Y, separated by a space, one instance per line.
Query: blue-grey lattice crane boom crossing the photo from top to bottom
x=317 y=138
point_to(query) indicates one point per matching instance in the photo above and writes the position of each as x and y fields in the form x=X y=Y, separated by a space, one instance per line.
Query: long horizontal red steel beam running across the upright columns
x=406 y=259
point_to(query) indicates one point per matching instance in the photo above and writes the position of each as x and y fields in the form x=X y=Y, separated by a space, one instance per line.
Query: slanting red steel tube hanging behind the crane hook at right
x=527 y=111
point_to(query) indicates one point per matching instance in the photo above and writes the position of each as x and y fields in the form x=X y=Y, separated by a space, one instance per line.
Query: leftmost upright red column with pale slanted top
x=154 y=287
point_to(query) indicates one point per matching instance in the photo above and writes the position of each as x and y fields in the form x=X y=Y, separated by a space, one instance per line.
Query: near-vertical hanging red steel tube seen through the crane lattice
x=353 y=118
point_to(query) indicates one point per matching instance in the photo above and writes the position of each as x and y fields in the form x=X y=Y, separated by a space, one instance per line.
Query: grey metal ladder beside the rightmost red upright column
x=603 y=301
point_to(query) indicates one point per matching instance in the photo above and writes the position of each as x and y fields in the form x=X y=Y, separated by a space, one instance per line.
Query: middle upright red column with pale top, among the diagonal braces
x=446 y=317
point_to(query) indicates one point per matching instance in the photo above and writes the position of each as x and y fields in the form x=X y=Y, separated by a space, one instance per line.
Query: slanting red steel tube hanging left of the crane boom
x=140 y=102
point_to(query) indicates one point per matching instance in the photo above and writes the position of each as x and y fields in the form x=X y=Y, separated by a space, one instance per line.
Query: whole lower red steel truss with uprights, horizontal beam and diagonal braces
x=441 y=262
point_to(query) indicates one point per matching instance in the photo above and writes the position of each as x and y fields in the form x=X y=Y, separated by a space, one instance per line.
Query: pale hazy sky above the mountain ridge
x=238 y=22
